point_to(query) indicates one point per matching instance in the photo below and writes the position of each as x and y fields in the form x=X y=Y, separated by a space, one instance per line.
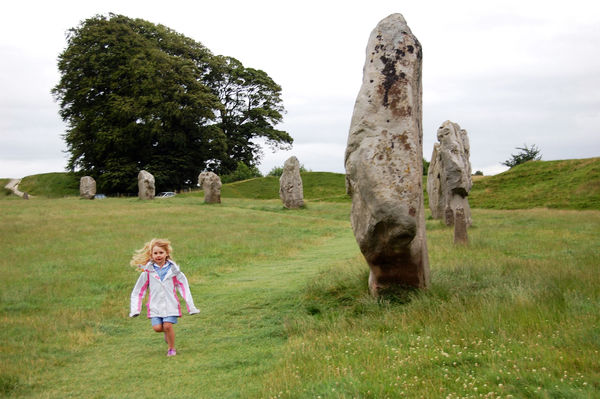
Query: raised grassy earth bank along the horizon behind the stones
x=570 y=184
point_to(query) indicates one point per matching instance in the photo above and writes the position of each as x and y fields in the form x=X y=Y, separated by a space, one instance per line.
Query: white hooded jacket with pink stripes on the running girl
x=162 y=295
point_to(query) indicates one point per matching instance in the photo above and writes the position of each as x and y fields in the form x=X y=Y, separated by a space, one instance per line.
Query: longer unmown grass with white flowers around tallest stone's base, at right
x=515 y=313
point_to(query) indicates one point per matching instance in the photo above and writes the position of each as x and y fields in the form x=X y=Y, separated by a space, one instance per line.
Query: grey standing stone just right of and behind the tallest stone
x=449 y=177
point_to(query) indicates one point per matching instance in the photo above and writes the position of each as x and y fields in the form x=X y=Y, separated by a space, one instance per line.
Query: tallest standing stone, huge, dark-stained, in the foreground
x=384 y=160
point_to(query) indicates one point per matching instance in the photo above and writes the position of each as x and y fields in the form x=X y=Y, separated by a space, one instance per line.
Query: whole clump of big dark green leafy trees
x=136 y=95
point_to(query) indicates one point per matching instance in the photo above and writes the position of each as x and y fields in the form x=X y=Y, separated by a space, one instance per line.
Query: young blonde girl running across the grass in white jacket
x=161 y=276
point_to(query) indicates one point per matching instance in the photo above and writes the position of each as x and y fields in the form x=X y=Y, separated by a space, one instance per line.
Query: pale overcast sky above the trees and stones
x=510 y=72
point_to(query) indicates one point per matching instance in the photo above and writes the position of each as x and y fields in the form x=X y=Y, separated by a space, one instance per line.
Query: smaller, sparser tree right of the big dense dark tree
x=251 y=108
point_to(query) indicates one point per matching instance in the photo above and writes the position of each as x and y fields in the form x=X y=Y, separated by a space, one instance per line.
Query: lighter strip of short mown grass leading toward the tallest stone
x=223 y=352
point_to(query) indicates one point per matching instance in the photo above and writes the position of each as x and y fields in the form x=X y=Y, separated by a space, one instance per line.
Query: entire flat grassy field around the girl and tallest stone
x=284 y=305
